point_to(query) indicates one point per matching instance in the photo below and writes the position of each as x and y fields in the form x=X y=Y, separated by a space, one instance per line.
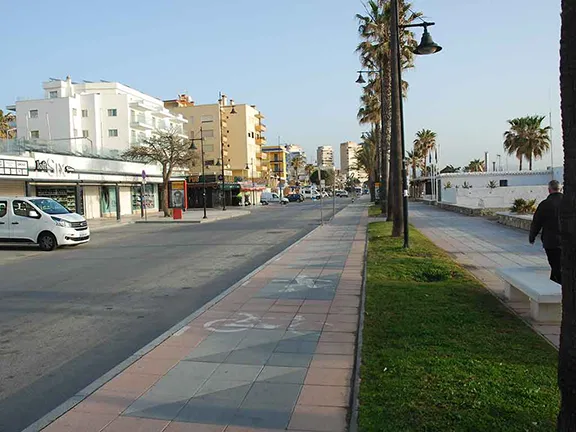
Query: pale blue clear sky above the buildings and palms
x=295 y=60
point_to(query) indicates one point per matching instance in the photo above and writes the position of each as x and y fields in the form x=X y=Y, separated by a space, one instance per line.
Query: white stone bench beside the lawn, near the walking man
x=533 y=286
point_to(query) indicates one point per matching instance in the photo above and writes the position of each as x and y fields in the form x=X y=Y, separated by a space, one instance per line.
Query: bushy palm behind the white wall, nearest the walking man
x=527 y=139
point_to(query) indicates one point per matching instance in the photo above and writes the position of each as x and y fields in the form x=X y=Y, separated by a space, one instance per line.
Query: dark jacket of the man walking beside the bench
x=547 y=219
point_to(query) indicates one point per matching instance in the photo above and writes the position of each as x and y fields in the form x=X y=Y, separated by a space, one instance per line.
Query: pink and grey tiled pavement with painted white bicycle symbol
x=275 y=354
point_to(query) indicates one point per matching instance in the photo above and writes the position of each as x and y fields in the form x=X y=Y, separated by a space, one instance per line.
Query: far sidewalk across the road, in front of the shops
x=189 y=216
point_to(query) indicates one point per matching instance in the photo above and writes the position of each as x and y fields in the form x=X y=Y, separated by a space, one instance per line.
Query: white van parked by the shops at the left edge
x=42 y=221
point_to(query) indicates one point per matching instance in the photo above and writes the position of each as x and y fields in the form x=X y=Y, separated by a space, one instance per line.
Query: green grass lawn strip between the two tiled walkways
x=440 y=353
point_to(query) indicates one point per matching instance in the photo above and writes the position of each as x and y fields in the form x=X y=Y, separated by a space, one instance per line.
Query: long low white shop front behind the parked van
x=95 y=188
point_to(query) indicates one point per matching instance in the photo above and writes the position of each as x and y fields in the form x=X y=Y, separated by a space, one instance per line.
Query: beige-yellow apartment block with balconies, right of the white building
x=233 y=132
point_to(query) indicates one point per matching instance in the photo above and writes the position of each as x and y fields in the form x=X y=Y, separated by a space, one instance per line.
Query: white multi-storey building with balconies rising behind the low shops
x=93 y=117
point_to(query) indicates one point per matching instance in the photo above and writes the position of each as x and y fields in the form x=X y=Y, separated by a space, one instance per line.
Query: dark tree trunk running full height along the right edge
x=567 y=353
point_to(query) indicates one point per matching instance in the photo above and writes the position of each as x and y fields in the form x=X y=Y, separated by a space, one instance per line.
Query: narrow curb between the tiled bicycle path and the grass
x=355 y=393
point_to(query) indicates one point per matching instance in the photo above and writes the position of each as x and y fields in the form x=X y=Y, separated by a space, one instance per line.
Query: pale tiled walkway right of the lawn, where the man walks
x=483 y=246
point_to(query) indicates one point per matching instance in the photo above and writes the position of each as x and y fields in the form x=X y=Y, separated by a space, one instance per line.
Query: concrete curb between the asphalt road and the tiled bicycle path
x=91 y=388
